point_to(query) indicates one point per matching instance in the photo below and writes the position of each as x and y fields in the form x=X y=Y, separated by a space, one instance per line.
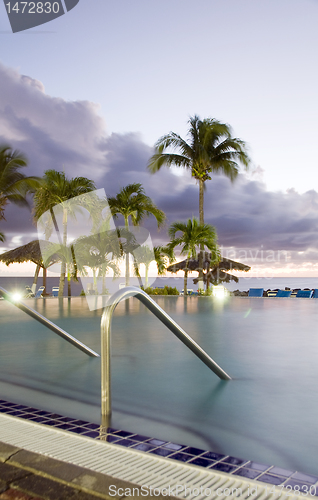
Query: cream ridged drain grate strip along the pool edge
x=151 y=472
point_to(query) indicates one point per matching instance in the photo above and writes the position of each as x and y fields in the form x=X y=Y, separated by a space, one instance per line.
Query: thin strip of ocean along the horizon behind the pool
x=18 y=283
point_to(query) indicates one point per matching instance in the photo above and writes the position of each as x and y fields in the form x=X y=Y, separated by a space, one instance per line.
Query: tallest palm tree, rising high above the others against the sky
x=210 y=149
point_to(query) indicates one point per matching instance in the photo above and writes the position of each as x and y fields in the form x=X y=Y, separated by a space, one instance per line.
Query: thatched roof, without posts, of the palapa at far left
x=29 y=252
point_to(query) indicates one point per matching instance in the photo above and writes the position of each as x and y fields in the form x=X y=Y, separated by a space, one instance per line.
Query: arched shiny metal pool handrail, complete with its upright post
x=124 y=293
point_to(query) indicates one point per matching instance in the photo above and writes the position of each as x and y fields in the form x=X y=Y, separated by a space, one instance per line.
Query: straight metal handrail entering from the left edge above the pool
x=46 y=322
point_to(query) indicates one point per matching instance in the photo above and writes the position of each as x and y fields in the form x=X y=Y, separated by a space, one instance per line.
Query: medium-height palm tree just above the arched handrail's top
x=132 y=202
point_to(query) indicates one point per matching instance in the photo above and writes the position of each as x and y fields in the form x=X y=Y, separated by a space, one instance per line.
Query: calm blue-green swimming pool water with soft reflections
x=267 y=413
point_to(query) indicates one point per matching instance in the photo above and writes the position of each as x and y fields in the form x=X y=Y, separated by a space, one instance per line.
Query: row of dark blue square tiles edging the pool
x=277 y=476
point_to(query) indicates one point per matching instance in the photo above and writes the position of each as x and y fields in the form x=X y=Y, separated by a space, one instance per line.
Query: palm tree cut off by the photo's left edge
x=14 y=185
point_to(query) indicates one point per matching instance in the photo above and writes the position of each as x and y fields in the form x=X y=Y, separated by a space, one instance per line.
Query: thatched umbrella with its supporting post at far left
x=30 y=252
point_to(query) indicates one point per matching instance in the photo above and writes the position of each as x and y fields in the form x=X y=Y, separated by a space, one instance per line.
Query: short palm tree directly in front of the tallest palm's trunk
x=193 y=235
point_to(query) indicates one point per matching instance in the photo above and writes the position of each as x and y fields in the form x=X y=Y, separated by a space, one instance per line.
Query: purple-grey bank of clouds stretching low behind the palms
x=57 y=134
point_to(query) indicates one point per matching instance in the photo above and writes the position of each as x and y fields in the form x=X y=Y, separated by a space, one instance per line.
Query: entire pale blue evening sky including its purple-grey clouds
x=91 y=92
